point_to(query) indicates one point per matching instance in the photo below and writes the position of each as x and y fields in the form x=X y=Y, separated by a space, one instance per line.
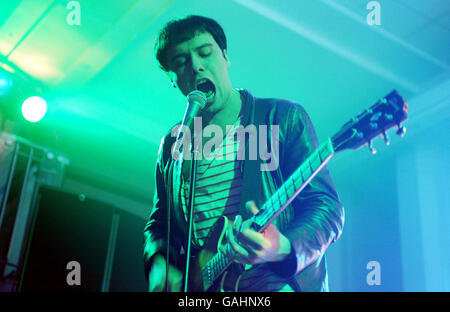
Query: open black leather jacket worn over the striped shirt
x=311 y=222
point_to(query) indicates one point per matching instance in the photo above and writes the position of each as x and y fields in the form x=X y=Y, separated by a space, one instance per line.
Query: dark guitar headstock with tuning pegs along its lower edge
x=387 y=113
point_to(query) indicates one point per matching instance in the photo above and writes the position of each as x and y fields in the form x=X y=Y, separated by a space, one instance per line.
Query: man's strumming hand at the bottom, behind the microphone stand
x=157 y=276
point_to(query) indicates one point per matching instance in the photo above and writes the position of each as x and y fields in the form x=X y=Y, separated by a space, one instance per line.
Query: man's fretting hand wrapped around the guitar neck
x=251 y=247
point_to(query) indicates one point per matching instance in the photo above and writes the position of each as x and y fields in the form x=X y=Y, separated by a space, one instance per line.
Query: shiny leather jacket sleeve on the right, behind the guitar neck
x=318 y=216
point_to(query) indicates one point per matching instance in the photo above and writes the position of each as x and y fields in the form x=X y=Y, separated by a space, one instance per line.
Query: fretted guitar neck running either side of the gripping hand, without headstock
x=276 y=204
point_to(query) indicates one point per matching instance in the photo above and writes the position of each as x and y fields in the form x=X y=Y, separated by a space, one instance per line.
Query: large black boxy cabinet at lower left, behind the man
x=104 y=241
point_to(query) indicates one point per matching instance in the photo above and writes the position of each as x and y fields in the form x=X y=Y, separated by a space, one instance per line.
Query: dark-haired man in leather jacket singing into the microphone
x=289 y=255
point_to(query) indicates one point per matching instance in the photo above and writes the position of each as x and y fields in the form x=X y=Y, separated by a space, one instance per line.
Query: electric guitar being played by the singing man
x=212 y=270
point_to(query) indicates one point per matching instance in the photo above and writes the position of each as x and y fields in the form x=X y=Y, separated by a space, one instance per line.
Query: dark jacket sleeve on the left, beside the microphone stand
x=155 y=231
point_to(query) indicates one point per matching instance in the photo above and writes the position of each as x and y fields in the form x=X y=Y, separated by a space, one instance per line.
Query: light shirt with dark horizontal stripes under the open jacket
x=217 y=192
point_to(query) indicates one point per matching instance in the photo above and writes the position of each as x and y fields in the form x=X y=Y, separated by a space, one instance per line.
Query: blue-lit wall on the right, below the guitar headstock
x=397 y=205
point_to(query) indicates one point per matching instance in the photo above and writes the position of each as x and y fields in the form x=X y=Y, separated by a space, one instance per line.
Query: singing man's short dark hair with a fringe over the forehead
x=180 y=30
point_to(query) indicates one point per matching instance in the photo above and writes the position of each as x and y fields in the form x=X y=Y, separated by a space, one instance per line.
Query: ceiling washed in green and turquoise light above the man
x=109 y=104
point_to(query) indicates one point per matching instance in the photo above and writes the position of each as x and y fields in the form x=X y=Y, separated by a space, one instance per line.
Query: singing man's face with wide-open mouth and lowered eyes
x=200 y=64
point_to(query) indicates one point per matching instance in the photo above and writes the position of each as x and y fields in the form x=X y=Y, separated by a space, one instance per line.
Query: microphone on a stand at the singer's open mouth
x=196 y=102
